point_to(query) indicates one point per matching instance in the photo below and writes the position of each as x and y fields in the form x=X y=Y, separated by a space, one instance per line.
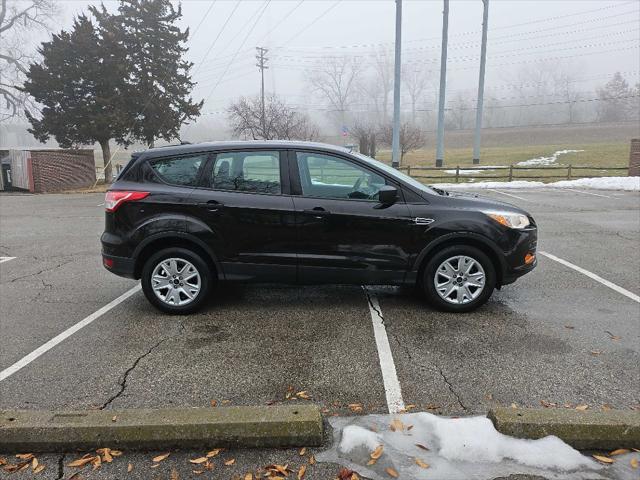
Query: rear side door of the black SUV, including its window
x=246 y=215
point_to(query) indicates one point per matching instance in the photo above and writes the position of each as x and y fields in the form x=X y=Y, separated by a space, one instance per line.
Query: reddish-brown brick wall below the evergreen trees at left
x=56 y=170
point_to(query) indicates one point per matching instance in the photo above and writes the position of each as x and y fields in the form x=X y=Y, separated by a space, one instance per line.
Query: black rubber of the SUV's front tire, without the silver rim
x=428 y=278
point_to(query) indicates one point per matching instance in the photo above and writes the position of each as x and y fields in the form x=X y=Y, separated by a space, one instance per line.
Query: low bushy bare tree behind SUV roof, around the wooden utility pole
x=280 y=121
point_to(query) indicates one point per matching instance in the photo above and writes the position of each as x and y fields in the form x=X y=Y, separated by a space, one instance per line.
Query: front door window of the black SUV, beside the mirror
x=326 y=176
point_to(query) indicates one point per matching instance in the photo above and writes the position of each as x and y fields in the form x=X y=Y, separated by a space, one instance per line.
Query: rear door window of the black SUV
x=257 y=172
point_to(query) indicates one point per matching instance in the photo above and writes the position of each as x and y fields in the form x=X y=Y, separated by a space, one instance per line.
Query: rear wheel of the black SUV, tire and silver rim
x=168 y=262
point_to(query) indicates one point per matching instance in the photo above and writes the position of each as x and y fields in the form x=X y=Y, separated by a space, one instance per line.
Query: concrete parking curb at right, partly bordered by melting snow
x=584 y=430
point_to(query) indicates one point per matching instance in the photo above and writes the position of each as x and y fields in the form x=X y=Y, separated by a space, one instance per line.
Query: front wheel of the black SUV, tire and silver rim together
x=466 y=295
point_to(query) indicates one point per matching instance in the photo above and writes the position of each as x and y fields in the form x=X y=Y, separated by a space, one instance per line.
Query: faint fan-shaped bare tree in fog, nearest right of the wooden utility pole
x=334 y=78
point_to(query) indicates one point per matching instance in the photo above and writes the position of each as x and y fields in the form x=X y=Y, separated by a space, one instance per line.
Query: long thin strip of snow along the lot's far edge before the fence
x=599 y=183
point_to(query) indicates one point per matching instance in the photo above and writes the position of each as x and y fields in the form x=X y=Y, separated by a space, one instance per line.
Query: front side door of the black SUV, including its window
x=344 y=234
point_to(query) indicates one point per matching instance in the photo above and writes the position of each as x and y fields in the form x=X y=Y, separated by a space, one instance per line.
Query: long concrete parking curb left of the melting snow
x=159 y=429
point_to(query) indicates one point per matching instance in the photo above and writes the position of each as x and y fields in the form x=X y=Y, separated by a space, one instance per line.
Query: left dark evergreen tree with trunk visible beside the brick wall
x=80 y=85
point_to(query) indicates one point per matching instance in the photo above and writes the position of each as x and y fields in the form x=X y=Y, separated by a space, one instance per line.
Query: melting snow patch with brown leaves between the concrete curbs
x=454 y=448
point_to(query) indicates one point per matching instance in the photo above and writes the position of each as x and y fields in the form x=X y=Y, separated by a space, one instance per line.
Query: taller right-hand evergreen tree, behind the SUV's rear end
x=159 y=82
